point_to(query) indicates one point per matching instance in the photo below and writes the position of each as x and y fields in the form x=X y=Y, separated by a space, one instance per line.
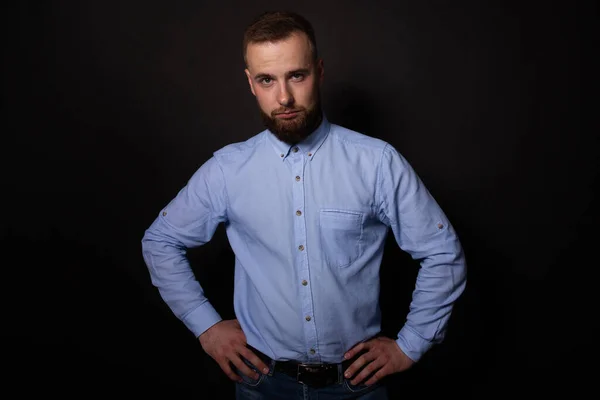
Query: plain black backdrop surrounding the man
x=108 y=107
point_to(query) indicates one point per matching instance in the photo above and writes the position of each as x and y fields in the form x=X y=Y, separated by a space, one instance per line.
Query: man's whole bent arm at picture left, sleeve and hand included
x=190 y=220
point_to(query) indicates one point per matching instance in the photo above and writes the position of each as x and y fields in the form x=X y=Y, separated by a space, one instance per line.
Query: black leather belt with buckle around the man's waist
x=315 y=375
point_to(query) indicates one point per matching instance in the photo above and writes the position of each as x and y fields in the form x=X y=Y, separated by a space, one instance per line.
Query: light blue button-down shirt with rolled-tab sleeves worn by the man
x=307 y=225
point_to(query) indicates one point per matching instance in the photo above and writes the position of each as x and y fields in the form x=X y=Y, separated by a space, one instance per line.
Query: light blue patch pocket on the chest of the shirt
x=341 y=233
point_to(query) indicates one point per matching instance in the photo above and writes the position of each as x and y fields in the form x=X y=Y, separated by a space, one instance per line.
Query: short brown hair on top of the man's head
x=272 y=26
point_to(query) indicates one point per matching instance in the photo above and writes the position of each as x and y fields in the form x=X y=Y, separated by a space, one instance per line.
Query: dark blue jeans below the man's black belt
x=276 y=385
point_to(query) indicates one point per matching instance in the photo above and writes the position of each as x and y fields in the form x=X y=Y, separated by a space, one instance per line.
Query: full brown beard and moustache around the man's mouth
x=293 y=130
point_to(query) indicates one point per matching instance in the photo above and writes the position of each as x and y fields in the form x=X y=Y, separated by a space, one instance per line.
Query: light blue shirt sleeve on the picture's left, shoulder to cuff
x=189 y=220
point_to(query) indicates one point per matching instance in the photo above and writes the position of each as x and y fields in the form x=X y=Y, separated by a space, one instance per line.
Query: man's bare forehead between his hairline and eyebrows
x=291 y=53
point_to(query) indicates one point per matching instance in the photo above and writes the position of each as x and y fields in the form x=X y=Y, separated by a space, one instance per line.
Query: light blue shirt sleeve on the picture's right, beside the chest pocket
x=421 y=229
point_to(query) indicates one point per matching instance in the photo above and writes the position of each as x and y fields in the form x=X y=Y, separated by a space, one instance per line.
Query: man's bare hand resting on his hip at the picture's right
x=382 y=357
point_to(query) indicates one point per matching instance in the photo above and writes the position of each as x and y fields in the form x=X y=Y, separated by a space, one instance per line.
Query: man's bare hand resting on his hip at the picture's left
x=225 y=342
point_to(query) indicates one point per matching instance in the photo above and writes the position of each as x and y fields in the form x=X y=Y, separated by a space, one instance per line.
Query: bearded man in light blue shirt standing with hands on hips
x=307 y=205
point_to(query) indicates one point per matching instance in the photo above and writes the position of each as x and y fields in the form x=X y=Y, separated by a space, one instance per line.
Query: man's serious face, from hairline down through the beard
x=285 y=80
